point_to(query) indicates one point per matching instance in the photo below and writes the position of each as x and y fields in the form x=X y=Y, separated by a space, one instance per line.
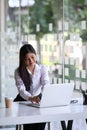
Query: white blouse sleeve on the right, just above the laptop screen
x=44 y=75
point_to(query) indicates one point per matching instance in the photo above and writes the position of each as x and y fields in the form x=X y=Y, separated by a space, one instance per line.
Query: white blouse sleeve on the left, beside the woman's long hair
x=20 y=86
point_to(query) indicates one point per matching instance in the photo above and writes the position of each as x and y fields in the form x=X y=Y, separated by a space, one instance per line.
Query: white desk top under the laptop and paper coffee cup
x=22 y=113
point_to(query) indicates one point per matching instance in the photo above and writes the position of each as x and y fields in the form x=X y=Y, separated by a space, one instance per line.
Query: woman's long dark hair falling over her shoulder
x=24 y=74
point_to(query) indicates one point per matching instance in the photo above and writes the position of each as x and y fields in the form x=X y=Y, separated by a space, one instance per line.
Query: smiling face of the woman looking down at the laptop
x=30 y=59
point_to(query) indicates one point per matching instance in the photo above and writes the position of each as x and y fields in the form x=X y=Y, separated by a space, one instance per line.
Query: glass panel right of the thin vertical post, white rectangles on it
x=75 y=42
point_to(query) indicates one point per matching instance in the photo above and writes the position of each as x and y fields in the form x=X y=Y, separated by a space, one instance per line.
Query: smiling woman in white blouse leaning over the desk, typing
x=30 y=79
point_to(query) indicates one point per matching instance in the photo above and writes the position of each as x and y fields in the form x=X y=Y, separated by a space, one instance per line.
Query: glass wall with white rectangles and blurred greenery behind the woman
x=58 y=31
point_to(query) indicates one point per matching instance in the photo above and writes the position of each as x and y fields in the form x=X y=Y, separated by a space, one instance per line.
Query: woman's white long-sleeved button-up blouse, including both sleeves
x=40 y=78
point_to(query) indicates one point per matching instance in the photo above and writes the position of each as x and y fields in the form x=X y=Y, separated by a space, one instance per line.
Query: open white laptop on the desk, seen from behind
x=55 y=95
